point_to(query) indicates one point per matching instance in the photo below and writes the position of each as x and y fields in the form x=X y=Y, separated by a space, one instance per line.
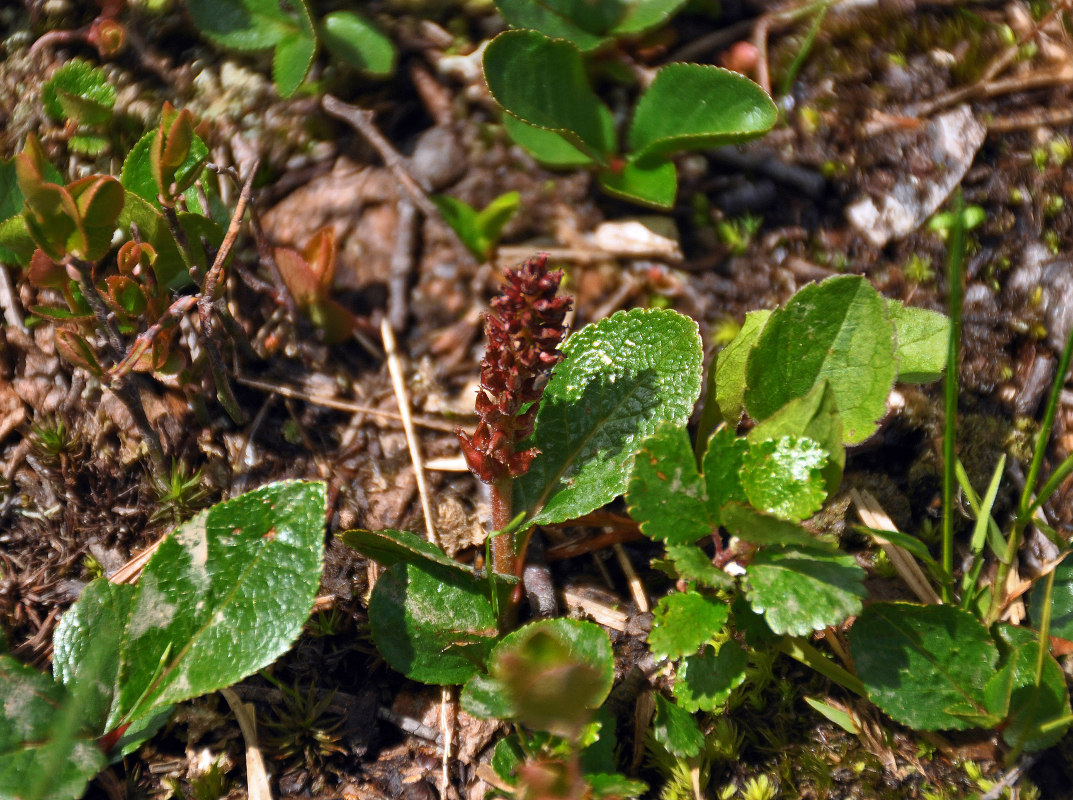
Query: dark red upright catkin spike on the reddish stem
x=524 y=330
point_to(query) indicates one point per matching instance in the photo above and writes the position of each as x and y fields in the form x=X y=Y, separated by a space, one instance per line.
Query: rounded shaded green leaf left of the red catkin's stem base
x=431 y=624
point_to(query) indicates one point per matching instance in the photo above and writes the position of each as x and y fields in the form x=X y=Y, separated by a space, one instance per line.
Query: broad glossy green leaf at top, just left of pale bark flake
x=698 y=107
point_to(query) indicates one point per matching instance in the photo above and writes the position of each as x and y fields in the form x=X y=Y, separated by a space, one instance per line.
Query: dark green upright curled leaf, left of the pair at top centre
x=542 y=82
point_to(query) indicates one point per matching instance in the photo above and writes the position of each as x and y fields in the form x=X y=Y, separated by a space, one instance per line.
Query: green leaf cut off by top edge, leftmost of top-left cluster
x=243 y=25
